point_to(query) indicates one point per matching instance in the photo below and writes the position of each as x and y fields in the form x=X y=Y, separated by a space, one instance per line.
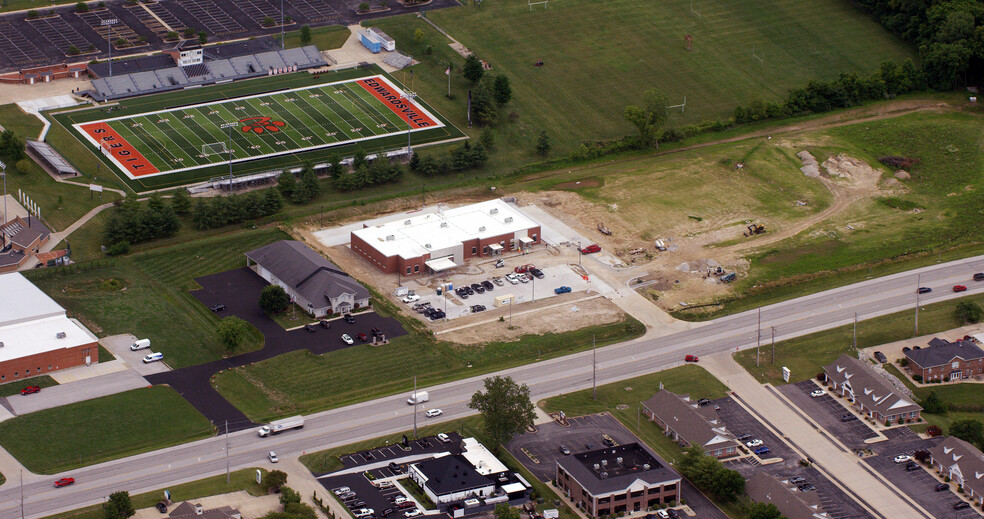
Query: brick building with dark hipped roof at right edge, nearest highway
x=944 y=360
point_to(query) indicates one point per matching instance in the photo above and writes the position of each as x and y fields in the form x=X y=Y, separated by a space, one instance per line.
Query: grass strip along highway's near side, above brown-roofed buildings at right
x=805 y=356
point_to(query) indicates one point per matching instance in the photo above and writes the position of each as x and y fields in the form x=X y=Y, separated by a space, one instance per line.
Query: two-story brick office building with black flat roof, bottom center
x=627 y=478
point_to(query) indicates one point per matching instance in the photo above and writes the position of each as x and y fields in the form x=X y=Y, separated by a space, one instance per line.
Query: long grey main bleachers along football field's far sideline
x=159 y=73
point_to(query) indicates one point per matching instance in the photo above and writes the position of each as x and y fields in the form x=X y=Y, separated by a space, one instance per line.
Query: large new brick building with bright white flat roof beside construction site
x=436 y=242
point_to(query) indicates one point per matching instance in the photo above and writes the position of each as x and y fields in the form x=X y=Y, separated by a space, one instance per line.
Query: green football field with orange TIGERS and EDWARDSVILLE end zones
x=257 y=126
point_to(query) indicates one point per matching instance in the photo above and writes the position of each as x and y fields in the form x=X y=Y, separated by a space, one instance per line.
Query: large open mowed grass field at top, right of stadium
x=602 y=55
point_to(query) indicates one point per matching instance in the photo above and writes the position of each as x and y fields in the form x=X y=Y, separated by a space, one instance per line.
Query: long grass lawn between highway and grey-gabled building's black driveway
x=301 y=382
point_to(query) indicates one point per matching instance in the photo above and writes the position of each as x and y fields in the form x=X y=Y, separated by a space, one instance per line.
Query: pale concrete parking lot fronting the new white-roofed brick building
x=459 y=303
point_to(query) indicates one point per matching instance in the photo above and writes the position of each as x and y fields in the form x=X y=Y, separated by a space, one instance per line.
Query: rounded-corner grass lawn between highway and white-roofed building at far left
x=154 y=418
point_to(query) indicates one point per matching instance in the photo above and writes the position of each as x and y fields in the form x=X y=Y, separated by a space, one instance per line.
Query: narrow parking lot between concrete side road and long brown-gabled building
x=827 y=411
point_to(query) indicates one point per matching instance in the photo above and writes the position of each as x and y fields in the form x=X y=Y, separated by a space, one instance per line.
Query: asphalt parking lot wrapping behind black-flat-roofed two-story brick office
x=586 y=433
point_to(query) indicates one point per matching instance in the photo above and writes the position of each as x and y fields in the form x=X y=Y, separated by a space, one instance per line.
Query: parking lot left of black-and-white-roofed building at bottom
x=384 y=465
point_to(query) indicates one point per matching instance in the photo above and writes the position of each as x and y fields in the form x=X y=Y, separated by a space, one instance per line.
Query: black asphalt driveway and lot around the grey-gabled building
x=240 y=290
